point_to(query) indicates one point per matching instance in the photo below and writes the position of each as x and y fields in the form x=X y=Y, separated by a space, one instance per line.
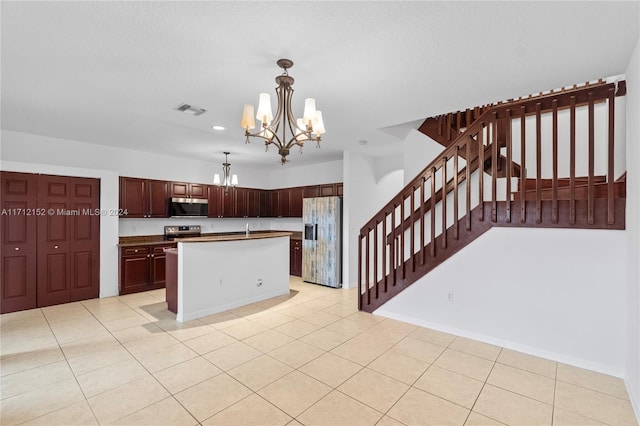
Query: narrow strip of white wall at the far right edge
x=632 y=375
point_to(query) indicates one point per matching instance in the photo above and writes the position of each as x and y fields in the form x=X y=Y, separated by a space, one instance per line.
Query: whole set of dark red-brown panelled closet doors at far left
x=51 y=246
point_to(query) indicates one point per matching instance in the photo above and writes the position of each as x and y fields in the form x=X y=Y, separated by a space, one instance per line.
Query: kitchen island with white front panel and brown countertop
x=211 y=274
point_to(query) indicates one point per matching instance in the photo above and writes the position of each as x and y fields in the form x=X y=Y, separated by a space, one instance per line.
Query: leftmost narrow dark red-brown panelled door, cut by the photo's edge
x=18 y=245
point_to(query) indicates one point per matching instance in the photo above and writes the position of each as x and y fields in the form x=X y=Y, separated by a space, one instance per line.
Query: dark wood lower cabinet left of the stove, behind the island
x=142 y=268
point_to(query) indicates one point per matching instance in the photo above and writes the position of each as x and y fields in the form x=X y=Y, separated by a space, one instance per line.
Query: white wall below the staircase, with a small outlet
x=555 y=293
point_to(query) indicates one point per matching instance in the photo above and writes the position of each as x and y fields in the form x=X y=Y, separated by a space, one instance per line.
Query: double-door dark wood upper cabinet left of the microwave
x=143 y=198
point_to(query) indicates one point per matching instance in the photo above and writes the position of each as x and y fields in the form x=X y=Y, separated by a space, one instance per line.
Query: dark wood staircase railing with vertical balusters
x=461 y=194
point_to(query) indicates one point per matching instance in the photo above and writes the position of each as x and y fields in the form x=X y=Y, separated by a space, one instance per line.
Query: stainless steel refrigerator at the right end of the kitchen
x=322 y=241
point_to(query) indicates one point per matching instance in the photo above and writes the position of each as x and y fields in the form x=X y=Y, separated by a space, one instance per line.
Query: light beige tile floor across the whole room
x=309 y=358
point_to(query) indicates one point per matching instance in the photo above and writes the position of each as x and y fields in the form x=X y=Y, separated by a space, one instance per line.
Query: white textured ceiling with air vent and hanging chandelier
x=111 y=72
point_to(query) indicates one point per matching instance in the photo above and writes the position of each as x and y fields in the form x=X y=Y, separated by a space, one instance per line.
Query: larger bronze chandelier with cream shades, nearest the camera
x=274 y=131
